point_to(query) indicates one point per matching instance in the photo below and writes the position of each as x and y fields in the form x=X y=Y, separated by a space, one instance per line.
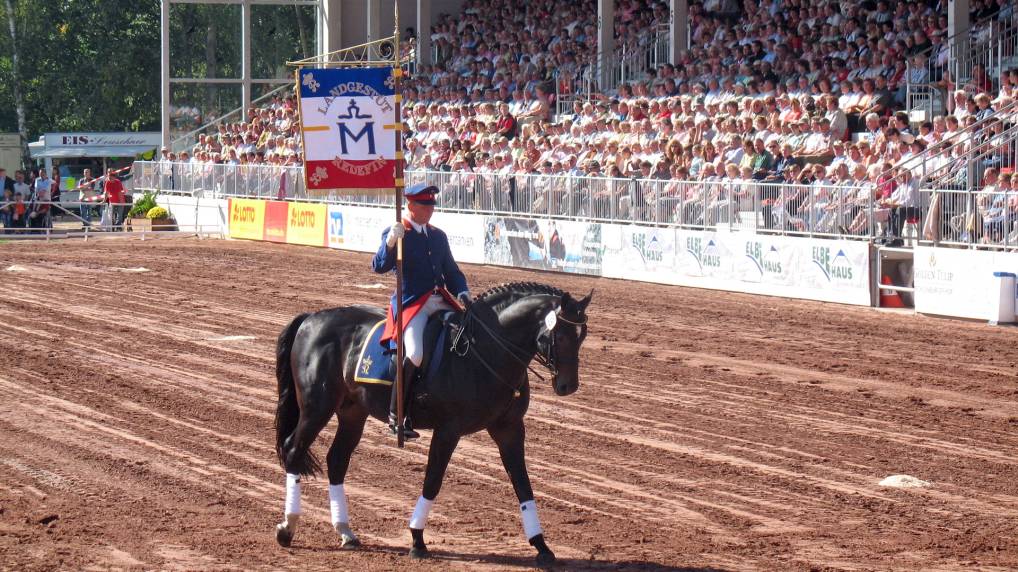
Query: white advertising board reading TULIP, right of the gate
x=959 y=282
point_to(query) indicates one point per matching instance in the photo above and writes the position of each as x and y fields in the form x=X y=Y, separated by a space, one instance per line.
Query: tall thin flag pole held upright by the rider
x=398 y=73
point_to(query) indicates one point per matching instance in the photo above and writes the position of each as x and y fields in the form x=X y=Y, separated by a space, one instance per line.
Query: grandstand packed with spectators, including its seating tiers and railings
x=822 y=119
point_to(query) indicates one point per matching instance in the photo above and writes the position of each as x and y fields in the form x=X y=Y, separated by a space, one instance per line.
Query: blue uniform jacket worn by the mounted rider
x=428 y=264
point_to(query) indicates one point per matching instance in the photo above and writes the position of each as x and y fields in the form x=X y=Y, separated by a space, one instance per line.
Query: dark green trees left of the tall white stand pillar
x=85 y=66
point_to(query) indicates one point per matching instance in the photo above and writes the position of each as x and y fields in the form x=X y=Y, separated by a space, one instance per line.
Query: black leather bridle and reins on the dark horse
x=546 y=355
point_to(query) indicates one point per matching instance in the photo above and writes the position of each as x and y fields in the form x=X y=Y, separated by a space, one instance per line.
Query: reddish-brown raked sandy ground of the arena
x=711 y=431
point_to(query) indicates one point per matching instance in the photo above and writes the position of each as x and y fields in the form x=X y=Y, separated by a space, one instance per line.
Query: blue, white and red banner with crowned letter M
x=349 y=123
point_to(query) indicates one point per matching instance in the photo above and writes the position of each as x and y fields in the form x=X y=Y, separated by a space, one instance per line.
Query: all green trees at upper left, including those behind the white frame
x=93 y=66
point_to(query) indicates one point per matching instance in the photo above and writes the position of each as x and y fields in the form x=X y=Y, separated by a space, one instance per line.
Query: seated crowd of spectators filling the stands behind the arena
x=772 y=92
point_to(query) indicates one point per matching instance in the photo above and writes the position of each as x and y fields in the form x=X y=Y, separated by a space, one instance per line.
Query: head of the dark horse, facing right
x=559 y=340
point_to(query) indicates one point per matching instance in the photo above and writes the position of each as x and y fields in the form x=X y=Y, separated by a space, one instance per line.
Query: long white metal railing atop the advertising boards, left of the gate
x=813 y=210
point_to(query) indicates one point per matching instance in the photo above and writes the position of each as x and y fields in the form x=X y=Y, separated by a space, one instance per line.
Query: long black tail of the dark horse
x=288 y=409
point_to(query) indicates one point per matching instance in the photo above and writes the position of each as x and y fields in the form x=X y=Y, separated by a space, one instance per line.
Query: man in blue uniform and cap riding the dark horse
x=430 y=278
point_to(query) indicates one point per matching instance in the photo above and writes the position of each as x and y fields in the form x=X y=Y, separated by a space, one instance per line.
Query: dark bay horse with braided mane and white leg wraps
x=482 y=384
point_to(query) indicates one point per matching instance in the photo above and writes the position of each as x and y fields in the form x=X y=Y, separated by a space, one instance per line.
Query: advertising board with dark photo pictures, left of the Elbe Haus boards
x=544 y=245
